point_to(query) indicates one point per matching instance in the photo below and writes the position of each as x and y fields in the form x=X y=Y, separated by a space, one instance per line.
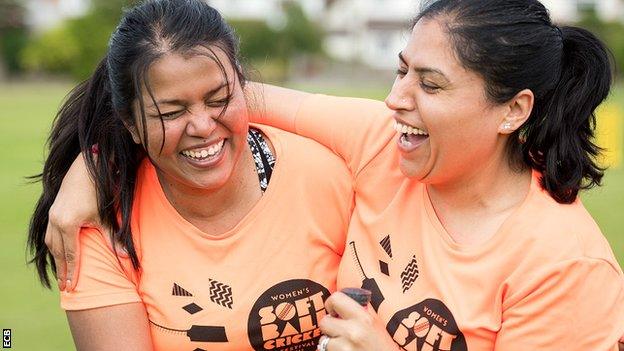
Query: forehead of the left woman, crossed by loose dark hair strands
x=177 y=73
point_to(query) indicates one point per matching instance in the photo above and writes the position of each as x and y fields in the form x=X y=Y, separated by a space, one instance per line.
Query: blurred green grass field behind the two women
x=32 y=312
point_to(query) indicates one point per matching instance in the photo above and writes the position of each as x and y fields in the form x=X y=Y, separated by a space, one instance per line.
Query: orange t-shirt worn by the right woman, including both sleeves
x=547 y=280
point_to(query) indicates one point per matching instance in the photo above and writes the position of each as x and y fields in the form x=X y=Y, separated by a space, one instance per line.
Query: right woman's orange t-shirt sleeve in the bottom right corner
x=577 y=305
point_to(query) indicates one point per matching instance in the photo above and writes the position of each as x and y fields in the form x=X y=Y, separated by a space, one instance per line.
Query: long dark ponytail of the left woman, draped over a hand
x=87 y=118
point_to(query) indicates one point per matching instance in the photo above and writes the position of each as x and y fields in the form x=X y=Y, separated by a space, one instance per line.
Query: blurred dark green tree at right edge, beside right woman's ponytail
x=612 y=33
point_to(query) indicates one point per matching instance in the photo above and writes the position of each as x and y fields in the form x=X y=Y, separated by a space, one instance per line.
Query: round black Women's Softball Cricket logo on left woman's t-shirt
x=287 y=315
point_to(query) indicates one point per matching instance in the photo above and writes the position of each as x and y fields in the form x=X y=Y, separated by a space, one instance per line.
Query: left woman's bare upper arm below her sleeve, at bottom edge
x=119 y=327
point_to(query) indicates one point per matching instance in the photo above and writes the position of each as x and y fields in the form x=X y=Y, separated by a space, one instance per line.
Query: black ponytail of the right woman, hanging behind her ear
x=559 y=136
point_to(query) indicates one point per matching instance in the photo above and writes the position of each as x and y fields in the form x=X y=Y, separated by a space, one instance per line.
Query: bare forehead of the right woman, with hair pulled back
x=429 y=46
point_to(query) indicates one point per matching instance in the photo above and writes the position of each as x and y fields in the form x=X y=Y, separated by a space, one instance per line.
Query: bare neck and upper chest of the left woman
x=217 y=210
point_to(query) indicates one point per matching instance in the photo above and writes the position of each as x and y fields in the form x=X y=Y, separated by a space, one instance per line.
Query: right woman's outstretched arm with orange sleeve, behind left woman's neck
x=355 y=129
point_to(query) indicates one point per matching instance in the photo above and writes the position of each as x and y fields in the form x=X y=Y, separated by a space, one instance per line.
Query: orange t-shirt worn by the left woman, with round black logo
x=260 y=286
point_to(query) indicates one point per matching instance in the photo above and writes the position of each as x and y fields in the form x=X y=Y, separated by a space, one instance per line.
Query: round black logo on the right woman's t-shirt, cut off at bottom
x=426 y=326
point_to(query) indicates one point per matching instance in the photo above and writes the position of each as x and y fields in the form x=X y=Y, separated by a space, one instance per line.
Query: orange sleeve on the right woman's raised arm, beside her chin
x=355 y=129
